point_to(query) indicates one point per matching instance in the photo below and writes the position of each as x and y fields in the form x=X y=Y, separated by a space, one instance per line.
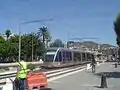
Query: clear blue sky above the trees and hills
x=71 y=18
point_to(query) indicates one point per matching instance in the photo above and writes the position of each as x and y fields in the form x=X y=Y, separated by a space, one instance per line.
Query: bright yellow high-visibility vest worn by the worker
x=23 y=70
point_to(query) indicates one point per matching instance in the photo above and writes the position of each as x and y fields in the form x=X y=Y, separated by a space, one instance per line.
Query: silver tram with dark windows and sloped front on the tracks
x=60 y=57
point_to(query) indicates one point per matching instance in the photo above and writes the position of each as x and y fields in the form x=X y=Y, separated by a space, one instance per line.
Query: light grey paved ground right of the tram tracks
x=85 y=80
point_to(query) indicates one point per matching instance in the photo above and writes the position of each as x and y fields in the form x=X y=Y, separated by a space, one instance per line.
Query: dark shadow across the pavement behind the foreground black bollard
x=109 y=74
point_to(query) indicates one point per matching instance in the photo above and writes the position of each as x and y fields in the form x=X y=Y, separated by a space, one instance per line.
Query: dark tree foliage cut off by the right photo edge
x=117 y=28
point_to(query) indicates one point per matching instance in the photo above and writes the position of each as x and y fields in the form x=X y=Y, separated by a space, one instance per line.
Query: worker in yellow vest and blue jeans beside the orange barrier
x=22 y=74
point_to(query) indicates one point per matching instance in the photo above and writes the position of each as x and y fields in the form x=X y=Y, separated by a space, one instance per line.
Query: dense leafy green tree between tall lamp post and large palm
x=28 y=45
